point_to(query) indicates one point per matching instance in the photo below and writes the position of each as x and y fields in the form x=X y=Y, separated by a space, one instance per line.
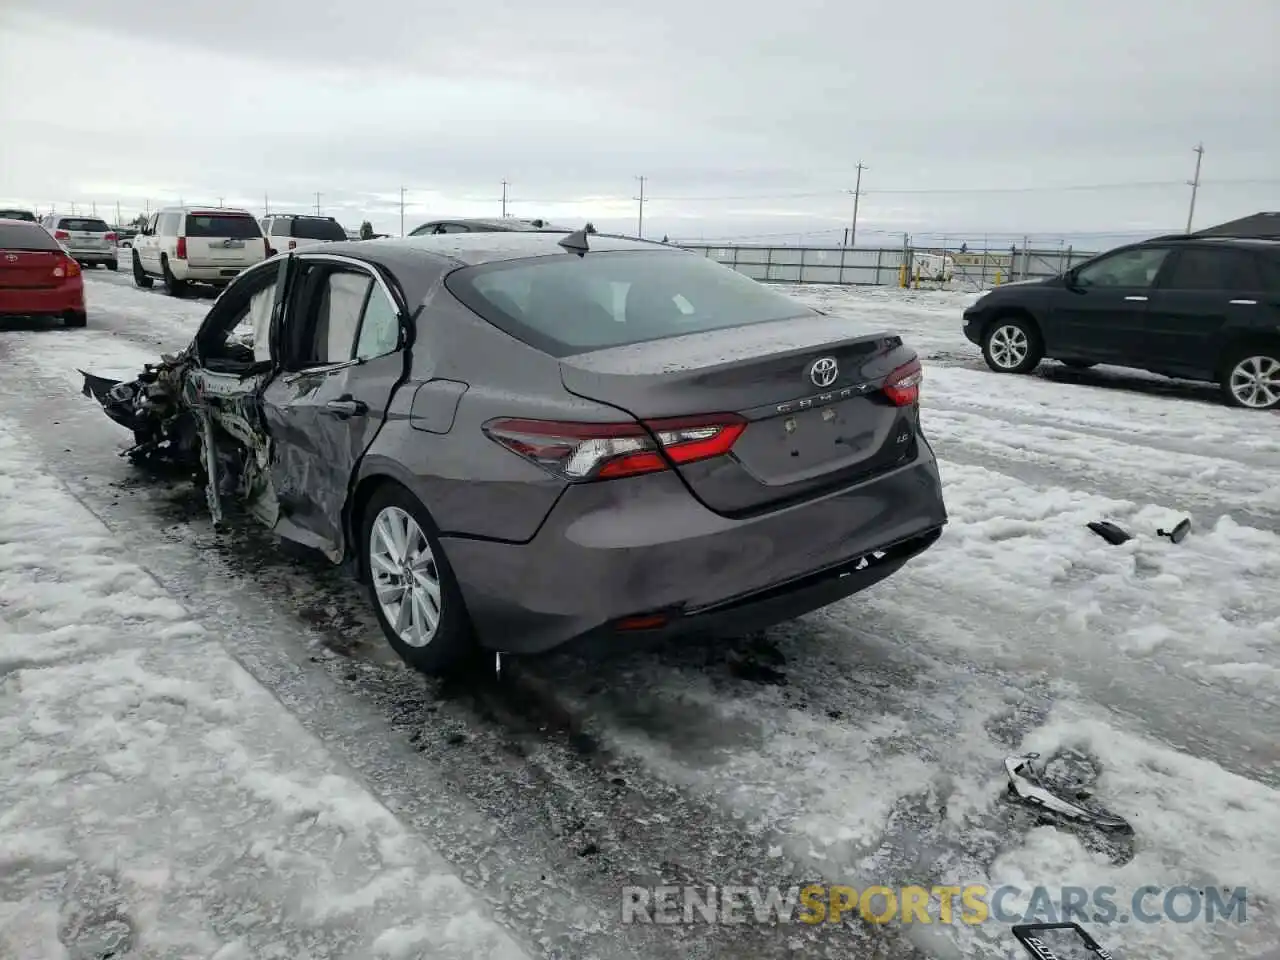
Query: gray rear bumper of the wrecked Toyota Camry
x=644 y=547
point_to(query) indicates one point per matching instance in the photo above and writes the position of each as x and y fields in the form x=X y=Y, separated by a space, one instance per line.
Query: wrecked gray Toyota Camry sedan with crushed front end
x=522 y=440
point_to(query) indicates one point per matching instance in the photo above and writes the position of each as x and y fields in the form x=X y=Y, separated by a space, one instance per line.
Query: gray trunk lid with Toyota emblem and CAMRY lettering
x=811 y=390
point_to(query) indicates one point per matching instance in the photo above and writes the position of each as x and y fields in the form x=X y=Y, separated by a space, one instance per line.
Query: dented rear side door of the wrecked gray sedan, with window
x=344 y=356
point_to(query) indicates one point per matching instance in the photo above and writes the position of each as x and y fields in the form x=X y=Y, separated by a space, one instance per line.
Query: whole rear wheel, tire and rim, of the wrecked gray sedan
x=391 y=519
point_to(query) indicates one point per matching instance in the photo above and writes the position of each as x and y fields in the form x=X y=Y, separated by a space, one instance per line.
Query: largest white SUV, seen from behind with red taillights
x=185 y=245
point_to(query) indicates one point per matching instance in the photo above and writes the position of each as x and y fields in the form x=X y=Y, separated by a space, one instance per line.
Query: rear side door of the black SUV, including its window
x=1201 y=292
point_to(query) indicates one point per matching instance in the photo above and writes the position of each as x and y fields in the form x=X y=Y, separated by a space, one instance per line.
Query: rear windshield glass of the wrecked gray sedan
x=565 y=305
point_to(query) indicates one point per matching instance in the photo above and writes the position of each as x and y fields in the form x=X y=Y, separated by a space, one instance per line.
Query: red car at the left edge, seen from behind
x=38 y=276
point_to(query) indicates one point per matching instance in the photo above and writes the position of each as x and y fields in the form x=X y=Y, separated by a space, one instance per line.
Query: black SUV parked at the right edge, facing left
x=1194 y=308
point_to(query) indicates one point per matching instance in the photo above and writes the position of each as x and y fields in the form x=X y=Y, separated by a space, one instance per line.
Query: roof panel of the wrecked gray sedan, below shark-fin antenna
x=469 y=249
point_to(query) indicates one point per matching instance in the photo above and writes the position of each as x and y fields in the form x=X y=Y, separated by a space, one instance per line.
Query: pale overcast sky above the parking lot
x=747 y=118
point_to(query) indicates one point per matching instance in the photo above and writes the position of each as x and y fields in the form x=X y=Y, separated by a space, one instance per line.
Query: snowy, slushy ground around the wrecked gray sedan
x=198 y=721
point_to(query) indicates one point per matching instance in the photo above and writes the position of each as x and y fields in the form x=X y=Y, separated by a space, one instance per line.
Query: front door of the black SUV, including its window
x=1103 y=316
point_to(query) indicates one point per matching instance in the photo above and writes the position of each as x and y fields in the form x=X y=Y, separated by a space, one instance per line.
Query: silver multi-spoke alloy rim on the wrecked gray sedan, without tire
x=406 y=577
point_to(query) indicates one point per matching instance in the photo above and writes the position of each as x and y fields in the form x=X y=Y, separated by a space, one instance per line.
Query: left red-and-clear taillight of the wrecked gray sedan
x=582 y=452
